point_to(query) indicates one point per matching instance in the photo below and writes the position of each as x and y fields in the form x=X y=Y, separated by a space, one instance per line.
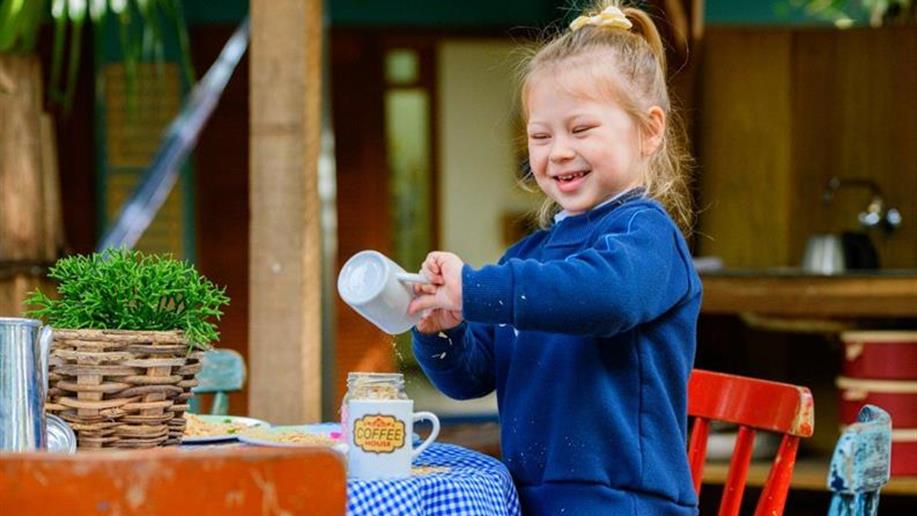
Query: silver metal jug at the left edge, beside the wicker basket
x=24 y=348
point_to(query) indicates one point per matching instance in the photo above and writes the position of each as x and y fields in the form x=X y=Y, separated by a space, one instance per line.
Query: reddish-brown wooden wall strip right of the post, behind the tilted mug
x=363 y=199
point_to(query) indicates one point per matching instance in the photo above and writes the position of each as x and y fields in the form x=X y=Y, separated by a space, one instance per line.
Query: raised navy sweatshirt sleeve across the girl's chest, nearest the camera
x=631 y=275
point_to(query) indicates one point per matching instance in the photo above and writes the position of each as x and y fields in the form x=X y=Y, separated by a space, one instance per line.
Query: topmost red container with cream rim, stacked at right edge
x=889 y=355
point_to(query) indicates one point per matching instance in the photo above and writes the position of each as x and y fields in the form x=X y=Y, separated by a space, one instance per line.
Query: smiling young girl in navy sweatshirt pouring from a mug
x=586 y=329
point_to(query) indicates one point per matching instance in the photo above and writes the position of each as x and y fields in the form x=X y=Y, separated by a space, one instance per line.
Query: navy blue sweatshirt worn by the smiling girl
x=587 y=332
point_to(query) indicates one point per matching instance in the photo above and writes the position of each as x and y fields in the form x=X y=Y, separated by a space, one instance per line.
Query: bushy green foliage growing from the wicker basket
x=122 y=289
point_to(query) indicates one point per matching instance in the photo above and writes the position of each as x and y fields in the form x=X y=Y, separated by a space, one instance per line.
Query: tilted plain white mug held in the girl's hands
x=378 y=289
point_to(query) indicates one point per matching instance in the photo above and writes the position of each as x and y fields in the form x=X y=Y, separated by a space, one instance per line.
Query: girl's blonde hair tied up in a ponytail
x=633 y=63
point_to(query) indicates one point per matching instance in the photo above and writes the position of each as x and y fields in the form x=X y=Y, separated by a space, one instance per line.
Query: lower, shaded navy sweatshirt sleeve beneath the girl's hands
x=459 y=361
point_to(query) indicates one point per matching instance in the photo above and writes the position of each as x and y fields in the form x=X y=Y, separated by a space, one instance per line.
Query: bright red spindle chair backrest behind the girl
x=752 y=404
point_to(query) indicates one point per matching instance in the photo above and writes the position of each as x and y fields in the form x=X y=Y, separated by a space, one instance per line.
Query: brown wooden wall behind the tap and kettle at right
x=784 y=110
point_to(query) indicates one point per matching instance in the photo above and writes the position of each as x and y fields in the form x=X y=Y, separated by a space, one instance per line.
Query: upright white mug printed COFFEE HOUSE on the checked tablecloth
x=379 y=438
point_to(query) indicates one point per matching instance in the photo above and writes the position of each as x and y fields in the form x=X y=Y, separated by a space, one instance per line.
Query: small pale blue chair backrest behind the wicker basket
x=222 y=371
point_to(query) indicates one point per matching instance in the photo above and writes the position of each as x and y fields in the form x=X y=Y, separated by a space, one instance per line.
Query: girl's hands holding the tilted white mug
x=445 y=291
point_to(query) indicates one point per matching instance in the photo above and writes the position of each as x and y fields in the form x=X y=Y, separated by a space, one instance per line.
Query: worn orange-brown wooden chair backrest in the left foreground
x=235 y=480
